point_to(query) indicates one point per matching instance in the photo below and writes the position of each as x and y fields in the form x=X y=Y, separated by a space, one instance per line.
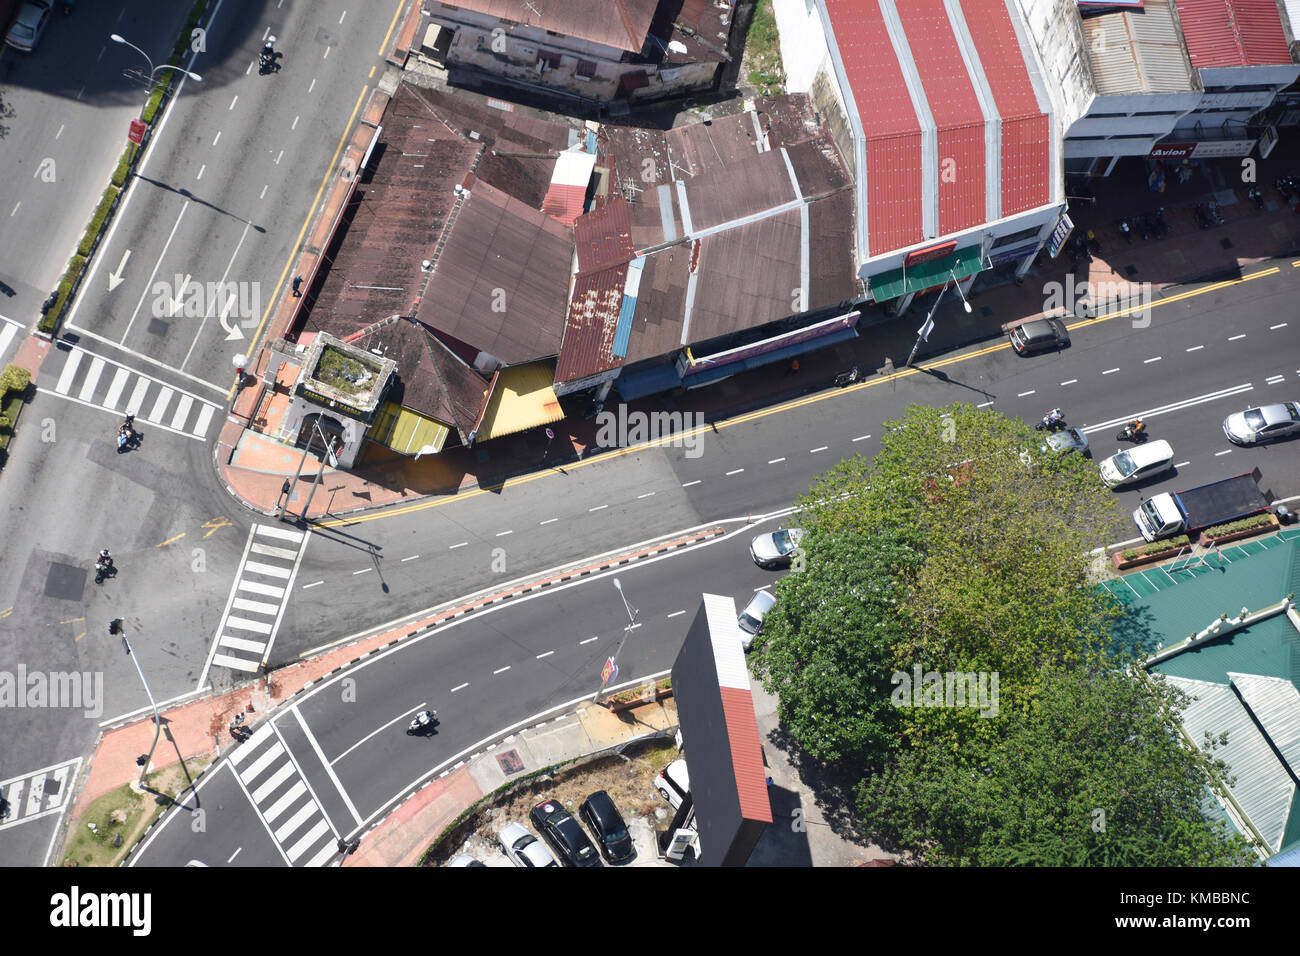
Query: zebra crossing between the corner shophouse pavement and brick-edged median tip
x=257 y=604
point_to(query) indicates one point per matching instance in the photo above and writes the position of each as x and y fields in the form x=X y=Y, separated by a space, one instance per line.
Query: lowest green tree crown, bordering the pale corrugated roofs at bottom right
x=1094 y=775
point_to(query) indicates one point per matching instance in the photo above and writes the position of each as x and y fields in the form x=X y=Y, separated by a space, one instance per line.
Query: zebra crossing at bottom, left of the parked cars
x=285 y=802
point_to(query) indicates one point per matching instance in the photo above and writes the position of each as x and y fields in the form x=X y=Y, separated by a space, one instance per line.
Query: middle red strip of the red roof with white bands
x=956 y=111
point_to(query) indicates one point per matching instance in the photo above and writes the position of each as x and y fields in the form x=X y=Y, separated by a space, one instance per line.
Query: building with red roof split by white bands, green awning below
x=954 y=139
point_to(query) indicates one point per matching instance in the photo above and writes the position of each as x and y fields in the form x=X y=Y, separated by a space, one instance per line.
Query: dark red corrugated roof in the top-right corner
x=1233 y=33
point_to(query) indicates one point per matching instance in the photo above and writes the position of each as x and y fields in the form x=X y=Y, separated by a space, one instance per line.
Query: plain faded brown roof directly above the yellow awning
x=501 y=283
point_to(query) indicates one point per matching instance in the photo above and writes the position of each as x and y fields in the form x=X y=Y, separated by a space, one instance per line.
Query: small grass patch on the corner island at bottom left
x=122 y=817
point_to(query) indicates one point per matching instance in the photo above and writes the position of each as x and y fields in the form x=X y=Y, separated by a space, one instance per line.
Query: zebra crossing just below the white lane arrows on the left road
x=102 y=383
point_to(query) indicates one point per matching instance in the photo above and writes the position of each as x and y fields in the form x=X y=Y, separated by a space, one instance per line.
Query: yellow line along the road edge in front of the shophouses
x=777 y=410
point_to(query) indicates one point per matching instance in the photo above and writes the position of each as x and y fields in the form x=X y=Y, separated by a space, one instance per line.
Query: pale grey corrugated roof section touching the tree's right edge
x=1263 y=790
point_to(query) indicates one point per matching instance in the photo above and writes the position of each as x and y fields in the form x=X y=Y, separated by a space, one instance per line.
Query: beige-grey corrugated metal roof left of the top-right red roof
x=1139 y=51
